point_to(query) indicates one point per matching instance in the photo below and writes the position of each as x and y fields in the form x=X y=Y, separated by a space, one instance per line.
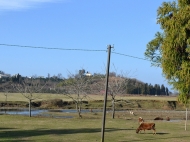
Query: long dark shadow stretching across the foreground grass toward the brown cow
x=11 y=134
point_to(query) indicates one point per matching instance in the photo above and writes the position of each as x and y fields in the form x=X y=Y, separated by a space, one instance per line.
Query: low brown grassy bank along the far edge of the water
x=130 y=104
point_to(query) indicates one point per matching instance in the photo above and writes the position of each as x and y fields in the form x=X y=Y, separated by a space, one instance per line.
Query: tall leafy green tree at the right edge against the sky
x=170 y=49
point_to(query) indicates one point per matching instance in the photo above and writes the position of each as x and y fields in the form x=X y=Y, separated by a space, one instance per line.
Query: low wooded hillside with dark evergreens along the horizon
x=122 y=84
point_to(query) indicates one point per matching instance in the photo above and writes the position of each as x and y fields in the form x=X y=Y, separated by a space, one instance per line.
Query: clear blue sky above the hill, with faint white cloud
x=78 y=24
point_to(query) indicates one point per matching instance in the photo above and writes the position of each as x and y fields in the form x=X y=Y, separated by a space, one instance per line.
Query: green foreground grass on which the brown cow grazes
x=14 y=128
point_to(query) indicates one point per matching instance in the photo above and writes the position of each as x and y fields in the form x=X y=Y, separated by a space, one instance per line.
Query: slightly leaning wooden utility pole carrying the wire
x=106 y=92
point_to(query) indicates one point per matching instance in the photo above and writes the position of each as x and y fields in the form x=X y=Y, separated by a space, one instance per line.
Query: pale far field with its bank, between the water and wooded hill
x=124 y=102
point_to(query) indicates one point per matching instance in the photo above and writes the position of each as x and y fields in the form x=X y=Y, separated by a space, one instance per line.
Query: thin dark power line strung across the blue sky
x=47 y=48
